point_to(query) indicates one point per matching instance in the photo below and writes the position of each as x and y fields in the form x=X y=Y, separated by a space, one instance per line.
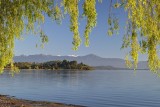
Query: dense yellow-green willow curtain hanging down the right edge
x=144 y=24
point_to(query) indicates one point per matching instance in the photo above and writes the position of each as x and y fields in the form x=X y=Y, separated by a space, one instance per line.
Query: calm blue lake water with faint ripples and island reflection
x=98 y=88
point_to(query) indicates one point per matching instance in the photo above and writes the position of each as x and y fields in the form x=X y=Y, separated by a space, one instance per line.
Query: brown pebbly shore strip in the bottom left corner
x=11 y=101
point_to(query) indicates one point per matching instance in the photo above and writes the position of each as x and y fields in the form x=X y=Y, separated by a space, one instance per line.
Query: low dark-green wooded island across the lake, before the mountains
x=53 y=65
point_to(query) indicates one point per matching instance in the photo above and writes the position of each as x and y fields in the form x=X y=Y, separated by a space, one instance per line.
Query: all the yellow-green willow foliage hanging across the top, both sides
x=142 y=33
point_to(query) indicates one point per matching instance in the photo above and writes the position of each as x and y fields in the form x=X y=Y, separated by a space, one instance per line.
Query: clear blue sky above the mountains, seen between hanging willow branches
x=60 y=37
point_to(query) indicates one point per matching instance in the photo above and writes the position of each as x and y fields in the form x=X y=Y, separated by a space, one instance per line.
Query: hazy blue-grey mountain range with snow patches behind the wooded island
x=91 y=59
